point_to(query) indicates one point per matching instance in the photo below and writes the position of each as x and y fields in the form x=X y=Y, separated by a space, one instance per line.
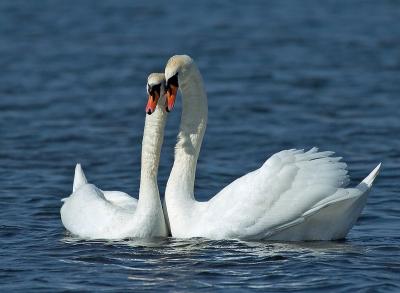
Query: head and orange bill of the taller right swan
x=174 y=71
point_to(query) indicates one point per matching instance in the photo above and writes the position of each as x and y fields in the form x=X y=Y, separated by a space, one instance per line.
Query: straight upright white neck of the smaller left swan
x=153 y=137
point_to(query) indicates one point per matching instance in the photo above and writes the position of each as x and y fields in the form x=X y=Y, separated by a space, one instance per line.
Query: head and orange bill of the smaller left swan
x=156 y=91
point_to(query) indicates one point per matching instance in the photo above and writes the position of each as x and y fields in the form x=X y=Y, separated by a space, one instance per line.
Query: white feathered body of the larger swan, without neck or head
x=294 y=196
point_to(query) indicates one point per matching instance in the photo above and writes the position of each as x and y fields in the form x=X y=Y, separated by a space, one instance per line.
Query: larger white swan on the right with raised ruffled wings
x=295 y=195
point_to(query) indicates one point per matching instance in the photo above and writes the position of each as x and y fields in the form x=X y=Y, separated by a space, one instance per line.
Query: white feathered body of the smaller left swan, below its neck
x=91 y=213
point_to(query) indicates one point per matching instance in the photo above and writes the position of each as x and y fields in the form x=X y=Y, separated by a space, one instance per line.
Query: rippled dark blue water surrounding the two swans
x=279 y=74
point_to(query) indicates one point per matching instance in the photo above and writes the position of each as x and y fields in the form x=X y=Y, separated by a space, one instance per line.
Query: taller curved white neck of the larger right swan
x=180 y=184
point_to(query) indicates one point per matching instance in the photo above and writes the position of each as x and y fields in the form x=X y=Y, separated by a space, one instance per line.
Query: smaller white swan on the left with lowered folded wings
x=92 y=213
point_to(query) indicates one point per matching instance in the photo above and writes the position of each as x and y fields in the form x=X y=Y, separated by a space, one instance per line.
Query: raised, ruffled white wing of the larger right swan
x=289 y=184
